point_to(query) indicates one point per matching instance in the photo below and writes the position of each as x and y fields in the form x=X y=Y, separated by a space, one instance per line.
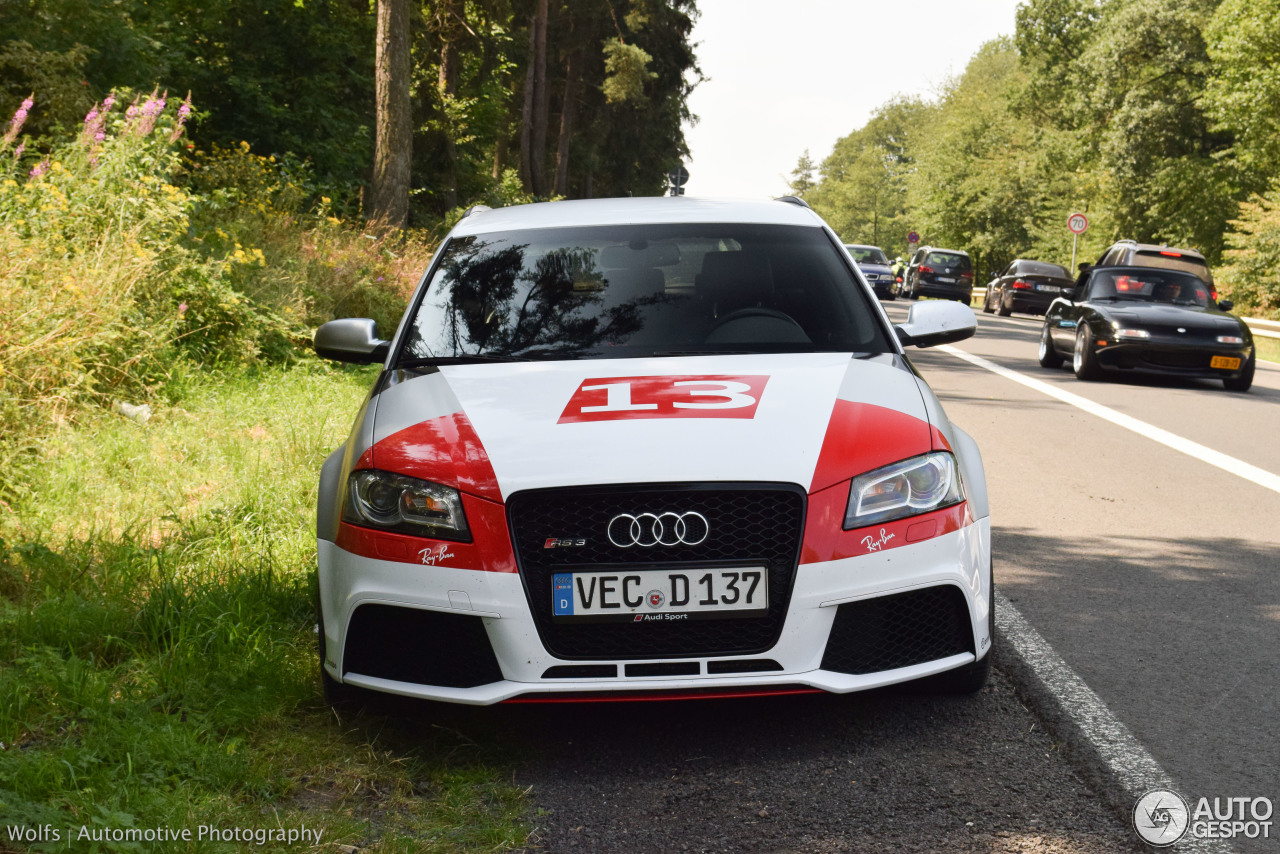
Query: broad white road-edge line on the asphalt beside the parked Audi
x=1128 y=762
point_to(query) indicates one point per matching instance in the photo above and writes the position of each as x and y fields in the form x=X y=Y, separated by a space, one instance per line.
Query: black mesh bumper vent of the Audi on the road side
x=899 y=631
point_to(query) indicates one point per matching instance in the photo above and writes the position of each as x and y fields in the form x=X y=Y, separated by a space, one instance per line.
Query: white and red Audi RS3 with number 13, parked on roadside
x=650 y=447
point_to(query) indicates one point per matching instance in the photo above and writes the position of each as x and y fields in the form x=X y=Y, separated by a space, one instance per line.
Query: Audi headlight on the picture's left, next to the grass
x=405 y=505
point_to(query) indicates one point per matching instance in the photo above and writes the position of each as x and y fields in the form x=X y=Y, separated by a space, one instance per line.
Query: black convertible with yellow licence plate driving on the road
x=1130 y=319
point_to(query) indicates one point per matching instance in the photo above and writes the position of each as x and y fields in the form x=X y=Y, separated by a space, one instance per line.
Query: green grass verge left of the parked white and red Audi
x=157 y=650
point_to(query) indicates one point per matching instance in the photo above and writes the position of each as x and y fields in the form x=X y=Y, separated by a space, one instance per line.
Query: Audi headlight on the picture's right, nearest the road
x=907 y=488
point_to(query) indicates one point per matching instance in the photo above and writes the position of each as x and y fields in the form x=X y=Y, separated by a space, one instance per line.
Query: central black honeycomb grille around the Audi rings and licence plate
x=751 y=526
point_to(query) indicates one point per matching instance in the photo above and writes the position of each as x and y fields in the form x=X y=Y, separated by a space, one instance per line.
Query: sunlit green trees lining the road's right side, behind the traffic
x=1158 y=118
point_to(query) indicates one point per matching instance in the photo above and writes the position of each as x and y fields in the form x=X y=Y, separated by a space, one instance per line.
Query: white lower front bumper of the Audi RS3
x=958 y=565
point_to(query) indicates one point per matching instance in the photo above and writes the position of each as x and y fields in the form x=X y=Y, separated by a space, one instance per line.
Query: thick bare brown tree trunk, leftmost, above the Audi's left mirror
x=394 y=139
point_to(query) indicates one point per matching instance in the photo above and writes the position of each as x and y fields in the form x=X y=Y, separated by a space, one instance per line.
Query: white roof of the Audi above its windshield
x=642 y=211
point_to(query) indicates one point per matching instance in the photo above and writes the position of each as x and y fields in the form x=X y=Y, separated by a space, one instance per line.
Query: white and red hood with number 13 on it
x=811 y=419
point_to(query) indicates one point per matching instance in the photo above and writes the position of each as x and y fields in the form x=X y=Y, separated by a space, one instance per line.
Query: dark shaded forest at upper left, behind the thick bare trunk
x=509 y=99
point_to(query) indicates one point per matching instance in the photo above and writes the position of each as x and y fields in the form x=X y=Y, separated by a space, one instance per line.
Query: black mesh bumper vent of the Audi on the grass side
x=420 y=647
